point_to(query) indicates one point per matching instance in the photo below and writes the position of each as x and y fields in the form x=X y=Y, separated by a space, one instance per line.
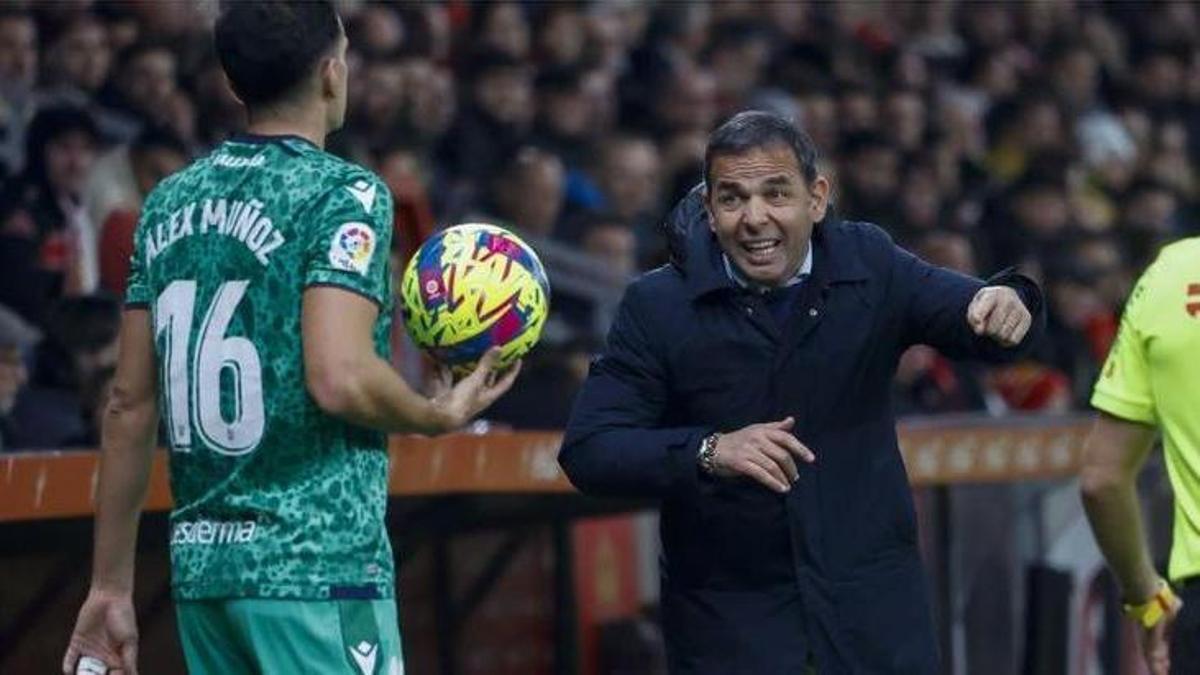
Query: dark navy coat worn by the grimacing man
x=753 y=581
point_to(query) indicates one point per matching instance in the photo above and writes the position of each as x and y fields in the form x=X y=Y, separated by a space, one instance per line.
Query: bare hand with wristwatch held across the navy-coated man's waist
x=767 y=453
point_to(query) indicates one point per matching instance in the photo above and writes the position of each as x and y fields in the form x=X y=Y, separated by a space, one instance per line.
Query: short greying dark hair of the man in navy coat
x=751 y=130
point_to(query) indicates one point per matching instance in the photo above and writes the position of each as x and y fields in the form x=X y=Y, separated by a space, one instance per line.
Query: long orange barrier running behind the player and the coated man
x=968 y=450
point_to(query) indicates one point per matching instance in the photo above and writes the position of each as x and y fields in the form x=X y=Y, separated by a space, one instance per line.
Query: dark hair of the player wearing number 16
x=269 y=47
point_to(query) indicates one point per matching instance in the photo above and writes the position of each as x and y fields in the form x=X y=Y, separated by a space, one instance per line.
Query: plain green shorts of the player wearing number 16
x=269 y=637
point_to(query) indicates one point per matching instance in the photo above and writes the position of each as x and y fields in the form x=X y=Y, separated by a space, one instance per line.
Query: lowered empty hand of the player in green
x=107 y=631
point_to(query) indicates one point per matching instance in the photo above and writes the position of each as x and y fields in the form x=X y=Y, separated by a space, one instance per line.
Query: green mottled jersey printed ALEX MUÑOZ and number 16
x=273 y=497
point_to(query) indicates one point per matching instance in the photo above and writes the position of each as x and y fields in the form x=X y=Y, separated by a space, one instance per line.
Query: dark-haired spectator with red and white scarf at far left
x=47 y=243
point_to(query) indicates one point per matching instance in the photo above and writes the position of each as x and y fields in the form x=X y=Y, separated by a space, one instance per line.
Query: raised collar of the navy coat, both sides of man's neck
x=839 y=261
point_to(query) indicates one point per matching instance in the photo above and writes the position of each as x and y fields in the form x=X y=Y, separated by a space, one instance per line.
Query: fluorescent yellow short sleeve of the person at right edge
x=1124 y=389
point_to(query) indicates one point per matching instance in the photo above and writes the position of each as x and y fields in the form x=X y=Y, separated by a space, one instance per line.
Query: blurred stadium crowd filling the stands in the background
x=1061 y=138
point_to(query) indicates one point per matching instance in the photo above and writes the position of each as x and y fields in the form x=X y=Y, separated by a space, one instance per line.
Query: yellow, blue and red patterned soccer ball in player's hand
x=471 y=288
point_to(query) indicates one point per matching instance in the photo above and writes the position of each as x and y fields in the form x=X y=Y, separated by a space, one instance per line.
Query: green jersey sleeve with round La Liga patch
x=350 y=240
